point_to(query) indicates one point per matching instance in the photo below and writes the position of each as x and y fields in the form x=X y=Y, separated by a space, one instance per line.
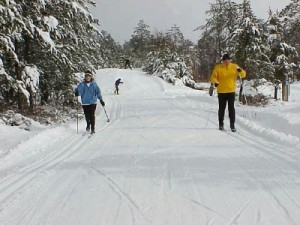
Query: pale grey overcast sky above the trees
x=120 y=17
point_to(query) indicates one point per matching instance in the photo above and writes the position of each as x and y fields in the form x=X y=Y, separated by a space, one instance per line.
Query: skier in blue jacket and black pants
x=89 y=92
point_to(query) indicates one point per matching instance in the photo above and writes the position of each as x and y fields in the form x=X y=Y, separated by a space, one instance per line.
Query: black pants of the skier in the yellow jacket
x=223 y=99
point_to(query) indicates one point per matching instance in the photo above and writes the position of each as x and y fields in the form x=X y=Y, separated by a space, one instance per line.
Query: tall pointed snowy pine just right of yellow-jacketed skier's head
x=249 y=45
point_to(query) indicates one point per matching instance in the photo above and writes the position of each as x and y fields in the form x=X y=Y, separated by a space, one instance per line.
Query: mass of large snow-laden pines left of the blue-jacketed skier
x=53 y=35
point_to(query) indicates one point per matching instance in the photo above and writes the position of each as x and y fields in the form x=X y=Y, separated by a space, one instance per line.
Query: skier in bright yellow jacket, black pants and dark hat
x=224 y=77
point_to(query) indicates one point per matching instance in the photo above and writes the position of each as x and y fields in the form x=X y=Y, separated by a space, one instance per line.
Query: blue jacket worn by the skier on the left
x=89 y=94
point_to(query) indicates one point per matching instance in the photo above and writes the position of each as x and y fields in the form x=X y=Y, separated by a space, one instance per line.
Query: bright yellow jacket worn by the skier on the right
x=226 y=77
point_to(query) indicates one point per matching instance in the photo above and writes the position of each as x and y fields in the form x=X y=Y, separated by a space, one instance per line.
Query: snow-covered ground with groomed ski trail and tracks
x=160 y=160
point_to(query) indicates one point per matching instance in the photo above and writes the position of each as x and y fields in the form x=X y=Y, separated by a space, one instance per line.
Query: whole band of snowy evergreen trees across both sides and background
x=43 y=44
